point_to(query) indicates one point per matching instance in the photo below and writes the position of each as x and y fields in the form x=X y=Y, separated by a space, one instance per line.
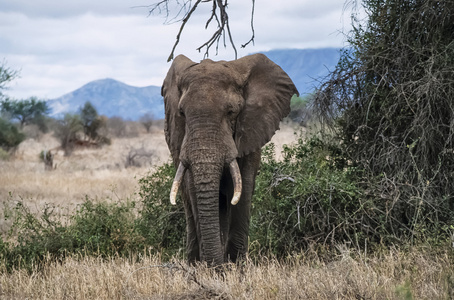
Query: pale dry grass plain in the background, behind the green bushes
x=99 y=173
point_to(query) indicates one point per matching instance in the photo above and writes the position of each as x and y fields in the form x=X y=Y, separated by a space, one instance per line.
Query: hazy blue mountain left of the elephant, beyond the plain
x=112 y=98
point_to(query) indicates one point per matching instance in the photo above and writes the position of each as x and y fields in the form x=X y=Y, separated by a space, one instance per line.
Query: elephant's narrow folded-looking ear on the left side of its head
x=174 y=126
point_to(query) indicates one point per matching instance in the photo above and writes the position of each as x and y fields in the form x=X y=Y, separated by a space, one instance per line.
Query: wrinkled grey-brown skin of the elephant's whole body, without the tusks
x=217 y=112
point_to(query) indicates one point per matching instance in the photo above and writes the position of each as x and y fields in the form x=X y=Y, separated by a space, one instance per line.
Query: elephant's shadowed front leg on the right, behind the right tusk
x=240 y=214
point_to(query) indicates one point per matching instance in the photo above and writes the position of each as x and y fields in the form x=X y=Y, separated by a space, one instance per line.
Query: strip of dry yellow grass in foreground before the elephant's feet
x=393 y=275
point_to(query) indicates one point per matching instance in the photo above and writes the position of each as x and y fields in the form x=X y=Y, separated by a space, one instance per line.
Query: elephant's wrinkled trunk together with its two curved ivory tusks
x=205 y=155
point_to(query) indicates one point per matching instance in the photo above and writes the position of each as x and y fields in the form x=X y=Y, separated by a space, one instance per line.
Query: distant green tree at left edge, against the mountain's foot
x=25 y=111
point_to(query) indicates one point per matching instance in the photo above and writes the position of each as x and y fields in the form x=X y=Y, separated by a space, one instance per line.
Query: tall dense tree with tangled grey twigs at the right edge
x=390 y=99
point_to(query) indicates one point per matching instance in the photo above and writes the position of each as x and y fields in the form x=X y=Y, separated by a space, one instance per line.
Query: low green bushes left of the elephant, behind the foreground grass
x=97 y=228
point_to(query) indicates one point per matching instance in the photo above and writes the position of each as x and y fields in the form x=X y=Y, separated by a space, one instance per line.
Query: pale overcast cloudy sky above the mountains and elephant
x=58 y=46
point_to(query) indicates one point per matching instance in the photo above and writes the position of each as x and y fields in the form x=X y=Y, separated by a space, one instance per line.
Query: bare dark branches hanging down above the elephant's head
x=185 y=10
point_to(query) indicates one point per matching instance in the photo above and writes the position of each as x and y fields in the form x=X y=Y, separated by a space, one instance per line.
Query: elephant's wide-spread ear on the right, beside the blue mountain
x=267 y=92
